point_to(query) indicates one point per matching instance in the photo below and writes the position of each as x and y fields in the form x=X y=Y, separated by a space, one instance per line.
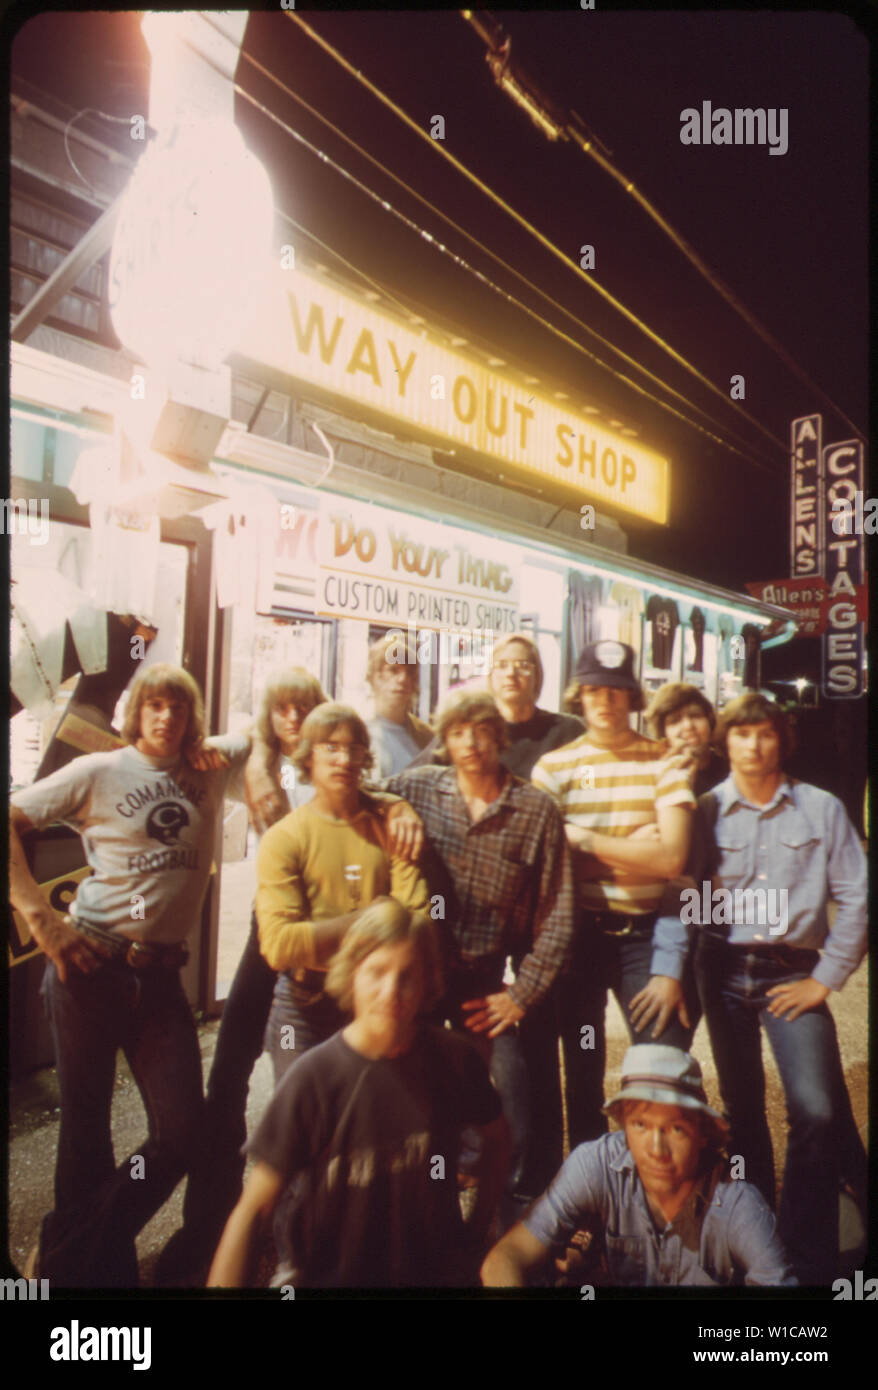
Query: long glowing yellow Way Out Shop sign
x=310 y=330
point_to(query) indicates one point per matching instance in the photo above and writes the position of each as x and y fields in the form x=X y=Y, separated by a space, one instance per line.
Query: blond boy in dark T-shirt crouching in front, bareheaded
x=358 y=1152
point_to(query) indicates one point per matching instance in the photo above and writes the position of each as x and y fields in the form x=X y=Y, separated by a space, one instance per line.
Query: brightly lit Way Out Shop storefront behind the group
x=354 y=505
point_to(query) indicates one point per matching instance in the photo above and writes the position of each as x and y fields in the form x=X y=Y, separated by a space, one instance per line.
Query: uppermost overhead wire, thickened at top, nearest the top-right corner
x=587 y=144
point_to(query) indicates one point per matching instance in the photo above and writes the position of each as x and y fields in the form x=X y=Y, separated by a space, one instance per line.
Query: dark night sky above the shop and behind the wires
x=788 y=234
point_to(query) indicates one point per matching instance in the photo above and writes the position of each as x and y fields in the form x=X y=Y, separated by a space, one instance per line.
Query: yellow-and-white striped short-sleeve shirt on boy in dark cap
x=613 y=792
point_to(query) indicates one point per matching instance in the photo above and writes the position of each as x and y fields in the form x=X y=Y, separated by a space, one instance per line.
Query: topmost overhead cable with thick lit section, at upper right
x=572 y=129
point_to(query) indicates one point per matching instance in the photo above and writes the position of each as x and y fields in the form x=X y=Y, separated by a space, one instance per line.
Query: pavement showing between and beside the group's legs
x=34 y=1114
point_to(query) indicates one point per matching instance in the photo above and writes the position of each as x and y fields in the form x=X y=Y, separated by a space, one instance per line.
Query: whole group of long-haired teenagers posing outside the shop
x=440 y=917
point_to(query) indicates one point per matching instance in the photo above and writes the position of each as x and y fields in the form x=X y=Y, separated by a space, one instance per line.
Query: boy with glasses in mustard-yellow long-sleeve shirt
x=319 y=869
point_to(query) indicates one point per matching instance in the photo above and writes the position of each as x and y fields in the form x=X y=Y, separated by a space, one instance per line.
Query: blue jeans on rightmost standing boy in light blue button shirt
x=734 y=983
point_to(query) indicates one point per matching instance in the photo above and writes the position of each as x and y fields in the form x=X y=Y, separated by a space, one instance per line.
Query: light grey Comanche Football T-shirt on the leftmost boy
x=148 y=829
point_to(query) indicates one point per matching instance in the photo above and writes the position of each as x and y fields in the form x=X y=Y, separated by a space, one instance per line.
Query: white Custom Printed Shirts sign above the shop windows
x=386 y=568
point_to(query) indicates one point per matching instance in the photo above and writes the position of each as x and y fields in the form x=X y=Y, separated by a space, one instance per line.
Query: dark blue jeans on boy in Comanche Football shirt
x=88 y=1242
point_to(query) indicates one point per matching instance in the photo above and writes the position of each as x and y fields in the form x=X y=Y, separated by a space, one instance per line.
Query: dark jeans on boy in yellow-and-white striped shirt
x=601 y=964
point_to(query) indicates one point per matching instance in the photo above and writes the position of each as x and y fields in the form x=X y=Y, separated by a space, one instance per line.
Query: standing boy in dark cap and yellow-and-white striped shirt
x=629 y=818
